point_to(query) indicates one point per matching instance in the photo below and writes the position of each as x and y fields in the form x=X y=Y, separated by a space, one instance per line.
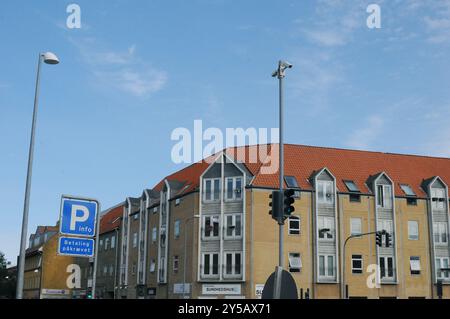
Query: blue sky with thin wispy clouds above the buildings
x=137 y=70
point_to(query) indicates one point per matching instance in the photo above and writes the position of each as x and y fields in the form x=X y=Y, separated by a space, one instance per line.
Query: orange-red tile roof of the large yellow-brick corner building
x=301 y=161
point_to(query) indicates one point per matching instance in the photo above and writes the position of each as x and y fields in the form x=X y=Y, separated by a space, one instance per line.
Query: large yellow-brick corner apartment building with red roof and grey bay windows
x=205 y=231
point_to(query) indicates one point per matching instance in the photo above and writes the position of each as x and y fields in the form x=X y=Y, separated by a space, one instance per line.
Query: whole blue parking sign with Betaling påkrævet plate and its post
x=79 y=223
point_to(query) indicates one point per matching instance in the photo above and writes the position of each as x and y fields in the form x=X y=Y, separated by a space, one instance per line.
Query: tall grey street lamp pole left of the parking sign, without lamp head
x=26 y=205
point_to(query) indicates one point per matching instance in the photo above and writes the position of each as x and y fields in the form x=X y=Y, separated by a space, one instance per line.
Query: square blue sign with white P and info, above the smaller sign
x=78 y=217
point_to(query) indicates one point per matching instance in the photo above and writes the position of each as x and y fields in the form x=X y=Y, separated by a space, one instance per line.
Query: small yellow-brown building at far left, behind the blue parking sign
x=46 y=273
